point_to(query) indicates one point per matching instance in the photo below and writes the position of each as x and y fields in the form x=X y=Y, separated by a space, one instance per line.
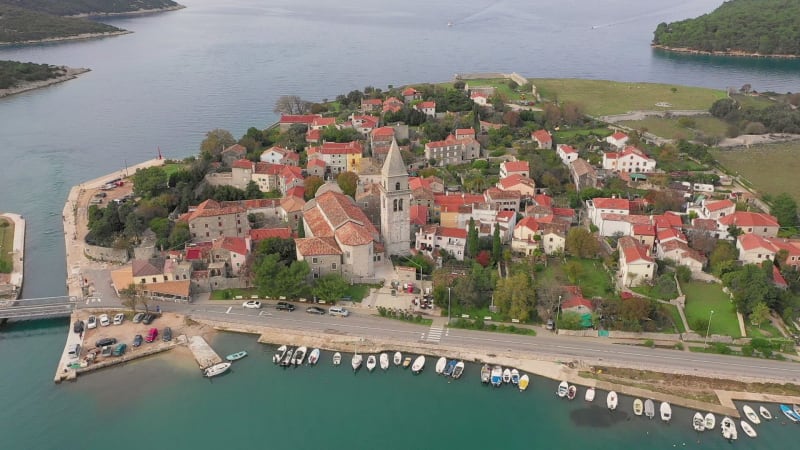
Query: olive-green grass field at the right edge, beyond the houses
x=771 y=169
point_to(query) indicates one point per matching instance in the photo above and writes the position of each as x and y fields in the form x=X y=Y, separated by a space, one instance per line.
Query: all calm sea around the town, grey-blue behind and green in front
x=222 y=65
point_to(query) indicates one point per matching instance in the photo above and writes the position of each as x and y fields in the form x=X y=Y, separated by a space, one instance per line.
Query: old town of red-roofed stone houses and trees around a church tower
x=479 y=200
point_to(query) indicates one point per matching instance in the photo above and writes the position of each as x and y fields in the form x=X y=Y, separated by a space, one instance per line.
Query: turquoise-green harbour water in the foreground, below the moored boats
x=164 y=399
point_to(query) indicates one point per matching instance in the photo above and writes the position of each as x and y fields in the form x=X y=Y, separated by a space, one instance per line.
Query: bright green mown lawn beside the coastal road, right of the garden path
x=701 y=299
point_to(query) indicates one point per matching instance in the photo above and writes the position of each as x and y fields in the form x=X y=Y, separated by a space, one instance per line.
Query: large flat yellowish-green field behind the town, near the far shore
x=601 y=98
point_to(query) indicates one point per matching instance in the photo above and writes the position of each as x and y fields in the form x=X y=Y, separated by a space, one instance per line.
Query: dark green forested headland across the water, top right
x=764 y=27
